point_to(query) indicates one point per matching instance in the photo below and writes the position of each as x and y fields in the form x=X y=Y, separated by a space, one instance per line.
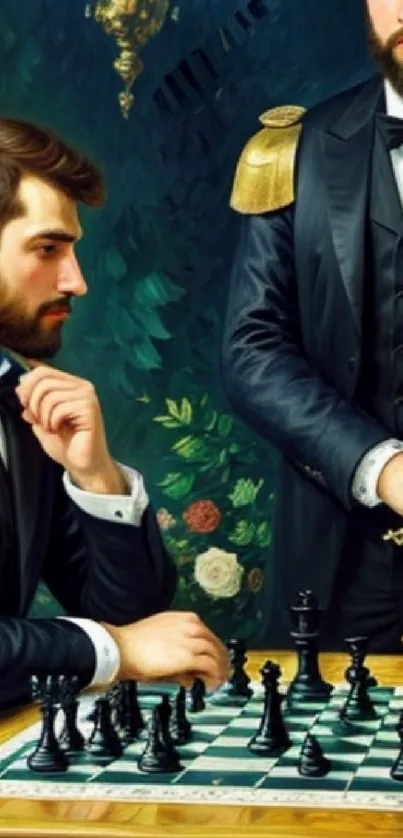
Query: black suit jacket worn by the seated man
x=98 y=569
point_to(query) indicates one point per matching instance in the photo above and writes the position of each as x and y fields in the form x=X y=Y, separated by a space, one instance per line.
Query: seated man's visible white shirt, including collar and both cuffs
x=125 y=509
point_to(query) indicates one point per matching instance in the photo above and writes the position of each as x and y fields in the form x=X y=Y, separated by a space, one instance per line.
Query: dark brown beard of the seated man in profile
x=26 y=334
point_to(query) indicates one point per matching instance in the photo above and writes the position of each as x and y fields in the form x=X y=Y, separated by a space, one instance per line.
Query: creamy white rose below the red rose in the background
x=218 y=573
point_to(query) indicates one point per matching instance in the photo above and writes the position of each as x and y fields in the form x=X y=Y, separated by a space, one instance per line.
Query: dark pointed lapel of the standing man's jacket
x=347 y=147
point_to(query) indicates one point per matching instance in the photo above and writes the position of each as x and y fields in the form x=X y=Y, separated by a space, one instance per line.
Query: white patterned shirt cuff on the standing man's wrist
x=366 y=477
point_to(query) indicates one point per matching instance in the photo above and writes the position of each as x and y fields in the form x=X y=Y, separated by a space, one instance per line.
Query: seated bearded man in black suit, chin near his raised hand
x=69 y=513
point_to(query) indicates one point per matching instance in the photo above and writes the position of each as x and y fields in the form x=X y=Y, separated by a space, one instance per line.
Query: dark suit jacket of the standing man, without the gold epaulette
x=293 y=339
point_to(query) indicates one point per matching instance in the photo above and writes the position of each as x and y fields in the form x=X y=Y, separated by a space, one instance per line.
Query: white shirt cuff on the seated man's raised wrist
x=128 y=509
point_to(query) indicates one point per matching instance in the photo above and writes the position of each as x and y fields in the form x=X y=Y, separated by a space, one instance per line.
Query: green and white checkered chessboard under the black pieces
x=218 y=768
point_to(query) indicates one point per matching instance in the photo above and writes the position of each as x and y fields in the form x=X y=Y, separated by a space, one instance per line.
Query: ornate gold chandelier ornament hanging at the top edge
x=132 y=23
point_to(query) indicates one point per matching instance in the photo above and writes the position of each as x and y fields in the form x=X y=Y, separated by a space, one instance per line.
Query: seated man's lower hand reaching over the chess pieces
x=173 y=645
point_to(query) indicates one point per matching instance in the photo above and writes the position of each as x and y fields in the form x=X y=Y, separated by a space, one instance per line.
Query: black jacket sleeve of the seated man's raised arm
x=107 y=570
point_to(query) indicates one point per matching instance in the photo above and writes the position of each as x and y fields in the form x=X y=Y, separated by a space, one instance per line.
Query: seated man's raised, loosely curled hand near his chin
x=66 y=418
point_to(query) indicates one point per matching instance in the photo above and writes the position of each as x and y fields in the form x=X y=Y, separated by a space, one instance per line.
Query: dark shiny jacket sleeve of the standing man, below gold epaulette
x=267 y=376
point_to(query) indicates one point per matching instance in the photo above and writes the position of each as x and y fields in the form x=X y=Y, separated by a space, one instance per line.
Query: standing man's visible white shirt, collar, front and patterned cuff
x=365 y=482
